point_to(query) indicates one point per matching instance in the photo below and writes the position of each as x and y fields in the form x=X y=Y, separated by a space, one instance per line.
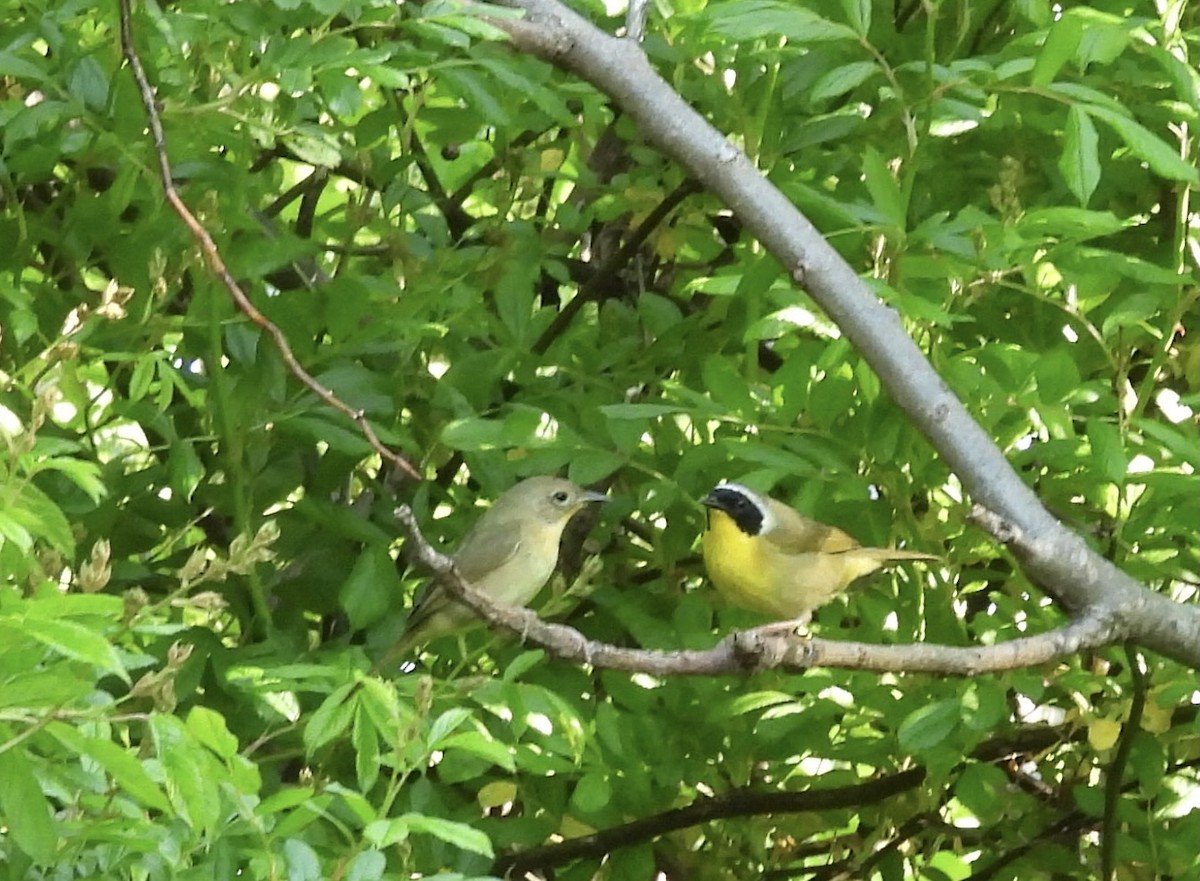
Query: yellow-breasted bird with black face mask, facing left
x=764 y=556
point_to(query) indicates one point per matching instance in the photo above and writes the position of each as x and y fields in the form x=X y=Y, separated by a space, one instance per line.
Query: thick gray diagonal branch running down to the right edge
x=1053 y=556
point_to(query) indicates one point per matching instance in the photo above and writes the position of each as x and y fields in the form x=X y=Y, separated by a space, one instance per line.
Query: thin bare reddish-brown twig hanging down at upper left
x=217 y=263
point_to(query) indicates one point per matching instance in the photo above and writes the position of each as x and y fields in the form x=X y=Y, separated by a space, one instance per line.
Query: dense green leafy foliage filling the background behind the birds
x=200 y=560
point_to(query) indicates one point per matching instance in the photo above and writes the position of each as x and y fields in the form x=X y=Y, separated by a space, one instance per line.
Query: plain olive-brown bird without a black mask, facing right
x=509 y=555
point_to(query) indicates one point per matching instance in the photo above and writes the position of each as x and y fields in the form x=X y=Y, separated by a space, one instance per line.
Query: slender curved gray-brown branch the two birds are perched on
x=747 y=652
